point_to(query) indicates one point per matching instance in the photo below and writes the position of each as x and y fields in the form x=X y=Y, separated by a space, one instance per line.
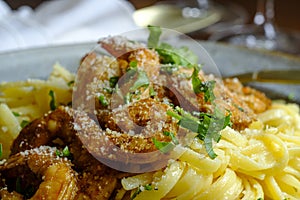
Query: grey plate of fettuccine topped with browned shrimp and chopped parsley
x=127 y=119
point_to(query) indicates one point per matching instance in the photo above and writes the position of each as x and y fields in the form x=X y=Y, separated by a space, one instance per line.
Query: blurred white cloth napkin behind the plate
x=62 y=22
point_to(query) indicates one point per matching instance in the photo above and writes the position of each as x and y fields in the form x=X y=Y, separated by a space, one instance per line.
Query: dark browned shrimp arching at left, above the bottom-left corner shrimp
x=60 y=124
